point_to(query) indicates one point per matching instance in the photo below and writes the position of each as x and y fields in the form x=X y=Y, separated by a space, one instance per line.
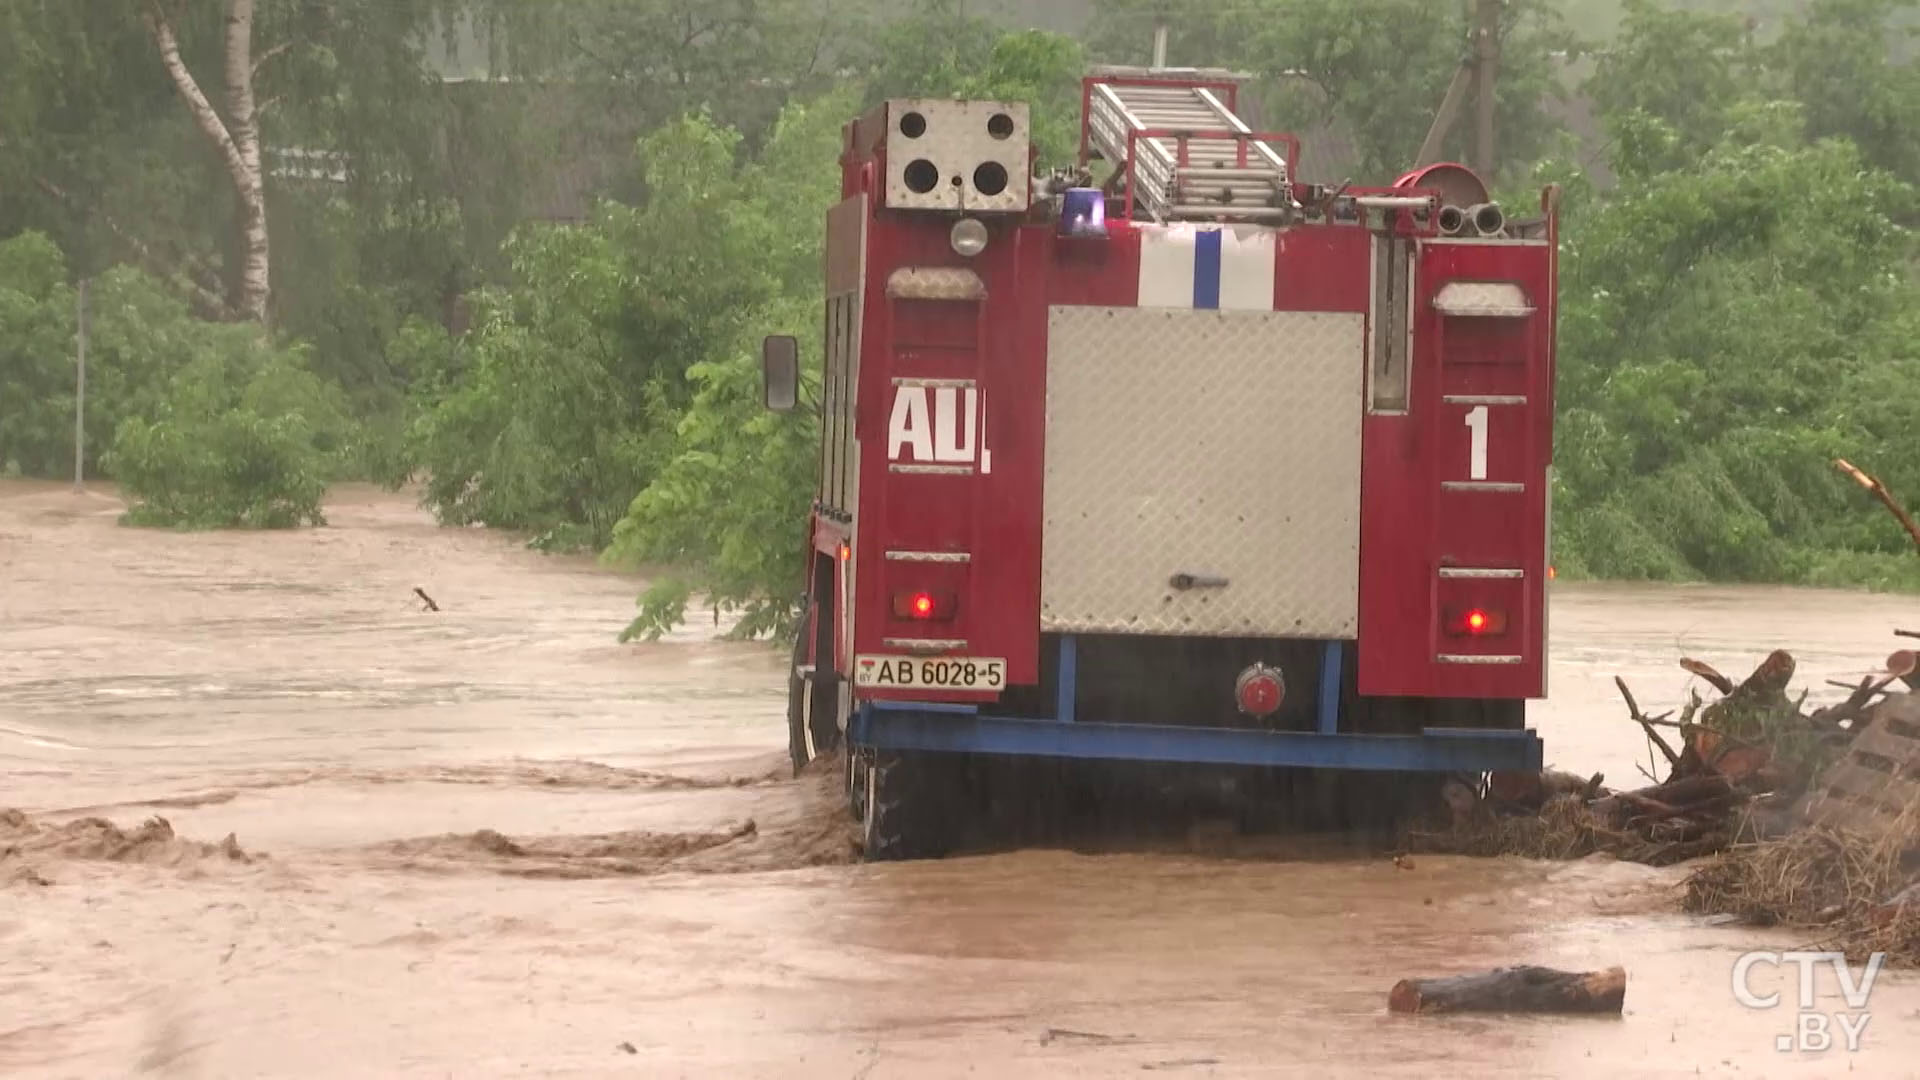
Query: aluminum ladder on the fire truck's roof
x=1191 y=155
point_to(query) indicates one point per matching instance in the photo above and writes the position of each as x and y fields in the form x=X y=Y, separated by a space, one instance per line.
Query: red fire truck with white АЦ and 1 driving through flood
x=1195 y=466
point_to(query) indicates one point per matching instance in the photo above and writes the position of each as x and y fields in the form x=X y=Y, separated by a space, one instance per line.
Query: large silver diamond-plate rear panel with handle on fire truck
x=1214 y=445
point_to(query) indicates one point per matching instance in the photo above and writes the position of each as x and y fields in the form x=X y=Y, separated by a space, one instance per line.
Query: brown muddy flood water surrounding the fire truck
x=492 y=841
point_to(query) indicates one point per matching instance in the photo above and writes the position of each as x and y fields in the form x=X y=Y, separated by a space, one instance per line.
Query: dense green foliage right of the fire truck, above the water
x=1740 y=312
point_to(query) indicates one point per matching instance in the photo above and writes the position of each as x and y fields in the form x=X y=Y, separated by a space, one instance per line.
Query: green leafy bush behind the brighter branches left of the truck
x=571 y=383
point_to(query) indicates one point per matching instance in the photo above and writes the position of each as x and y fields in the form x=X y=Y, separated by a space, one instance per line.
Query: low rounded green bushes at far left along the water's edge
x=208 y=424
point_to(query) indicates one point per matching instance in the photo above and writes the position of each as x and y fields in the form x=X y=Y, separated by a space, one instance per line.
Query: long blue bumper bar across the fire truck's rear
x=886 y=725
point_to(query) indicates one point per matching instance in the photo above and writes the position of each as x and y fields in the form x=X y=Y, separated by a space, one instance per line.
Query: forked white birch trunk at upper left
x=235 y=139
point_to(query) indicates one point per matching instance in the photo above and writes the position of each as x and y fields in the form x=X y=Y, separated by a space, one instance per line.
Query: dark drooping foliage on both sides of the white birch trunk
x=373 y=205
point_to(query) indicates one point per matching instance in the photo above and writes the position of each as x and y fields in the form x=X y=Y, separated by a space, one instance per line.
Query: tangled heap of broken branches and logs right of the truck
x=1739 y=770
